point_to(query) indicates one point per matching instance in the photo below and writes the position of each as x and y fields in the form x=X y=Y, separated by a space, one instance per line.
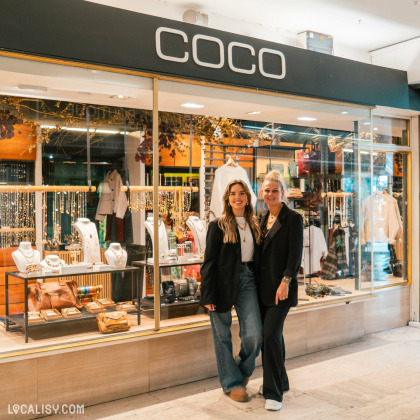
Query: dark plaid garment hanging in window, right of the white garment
x=335 y=264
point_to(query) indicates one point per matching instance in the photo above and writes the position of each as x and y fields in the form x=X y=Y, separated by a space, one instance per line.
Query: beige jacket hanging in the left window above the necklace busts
x=112 y=200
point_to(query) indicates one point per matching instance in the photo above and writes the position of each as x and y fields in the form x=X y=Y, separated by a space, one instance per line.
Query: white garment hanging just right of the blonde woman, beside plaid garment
x=314 y=248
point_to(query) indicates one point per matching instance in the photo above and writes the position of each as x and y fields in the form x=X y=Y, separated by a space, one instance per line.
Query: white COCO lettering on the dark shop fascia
x=263 y=54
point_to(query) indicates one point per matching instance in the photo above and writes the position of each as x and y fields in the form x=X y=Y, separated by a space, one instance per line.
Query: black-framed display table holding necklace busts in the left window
x=22 y=318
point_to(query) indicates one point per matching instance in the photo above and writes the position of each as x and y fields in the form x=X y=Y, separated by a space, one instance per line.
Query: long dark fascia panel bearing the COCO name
x=81 y=31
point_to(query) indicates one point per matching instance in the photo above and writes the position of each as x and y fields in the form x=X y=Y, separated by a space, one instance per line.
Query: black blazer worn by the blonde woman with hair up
x=280 y=255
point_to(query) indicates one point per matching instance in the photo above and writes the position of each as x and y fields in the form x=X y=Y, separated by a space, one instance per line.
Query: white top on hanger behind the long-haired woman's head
x=222 y=177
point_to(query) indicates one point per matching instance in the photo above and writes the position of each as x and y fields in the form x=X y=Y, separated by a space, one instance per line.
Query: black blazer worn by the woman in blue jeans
x=221 y=269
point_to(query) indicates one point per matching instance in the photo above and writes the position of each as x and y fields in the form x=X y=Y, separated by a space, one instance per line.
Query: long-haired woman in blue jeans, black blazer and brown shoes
x=227 y=279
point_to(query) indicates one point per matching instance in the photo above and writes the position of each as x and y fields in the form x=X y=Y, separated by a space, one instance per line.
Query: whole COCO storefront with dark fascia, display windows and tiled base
x=81 y=117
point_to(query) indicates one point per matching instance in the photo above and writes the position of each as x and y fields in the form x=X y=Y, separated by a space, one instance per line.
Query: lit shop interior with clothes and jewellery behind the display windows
x=345 y=168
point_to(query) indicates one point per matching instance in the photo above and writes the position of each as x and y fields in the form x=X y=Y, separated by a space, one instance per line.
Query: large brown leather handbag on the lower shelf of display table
x=53 y=296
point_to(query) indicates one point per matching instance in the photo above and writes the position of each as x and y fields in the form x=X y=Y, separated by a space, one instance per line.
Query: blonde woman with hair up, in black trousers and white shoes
x=278 y=264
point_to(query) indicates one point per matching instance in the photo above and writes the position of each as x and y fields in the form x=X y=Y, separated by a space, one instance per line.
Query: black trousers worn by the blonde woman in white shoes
x=275 y=380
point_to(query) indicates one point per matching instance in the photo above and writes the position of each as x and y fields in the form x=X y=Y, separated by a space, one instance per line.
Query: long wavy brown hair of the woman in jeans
x=227 y=221
